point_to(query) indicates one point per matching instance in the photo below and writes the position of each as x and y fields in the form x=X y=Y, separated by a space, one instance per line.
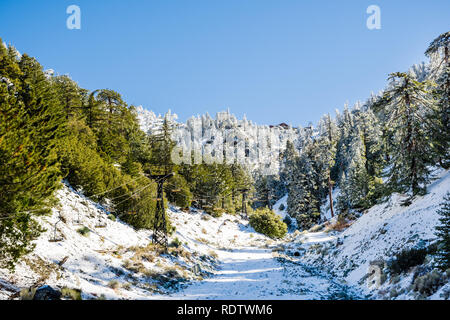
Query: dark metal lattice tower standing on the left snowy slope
x=160 y=225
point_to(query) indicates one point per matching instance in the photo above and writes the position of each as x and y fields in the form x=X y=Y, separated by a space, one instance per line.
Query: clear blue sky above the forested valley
x=275 y=61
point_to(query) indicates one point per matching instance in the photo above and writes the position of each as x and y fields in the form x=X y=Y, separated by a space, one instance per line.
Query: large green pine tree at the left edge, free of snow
x=31 y=124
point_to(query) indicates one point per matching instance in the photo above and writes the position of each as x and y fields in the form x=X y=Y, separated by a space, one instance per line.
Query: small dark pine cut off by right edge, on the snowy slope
x=443 y=233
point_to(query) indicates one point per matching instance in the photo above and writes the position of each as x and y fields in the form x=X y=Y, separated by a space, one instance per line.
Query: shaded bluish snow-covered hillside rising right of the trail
x=374 y=238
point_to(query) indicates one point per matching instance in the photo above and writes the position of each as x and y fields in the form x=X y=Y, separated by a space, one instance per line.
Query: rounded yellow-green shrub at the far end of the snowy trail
x=265 y=221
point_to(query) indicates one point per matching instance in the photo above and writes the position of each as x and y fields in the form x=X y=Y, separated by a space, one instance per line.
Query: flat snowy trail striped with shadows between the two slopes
x=256 y=273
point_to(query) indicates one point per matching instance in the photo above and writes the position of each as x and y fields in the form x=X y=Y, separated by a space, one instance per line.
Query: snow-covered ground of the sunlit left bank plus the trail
x=220 y=258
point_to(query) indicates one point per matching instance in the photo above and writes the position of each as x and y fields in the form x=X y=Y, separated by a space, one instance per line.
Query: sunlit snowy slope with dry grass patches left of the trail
x=110 y=254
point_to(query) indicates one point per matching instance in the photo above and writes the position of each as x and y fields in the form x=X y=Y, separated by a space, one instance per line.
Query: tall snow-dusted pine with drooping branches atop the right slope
x=405 y=104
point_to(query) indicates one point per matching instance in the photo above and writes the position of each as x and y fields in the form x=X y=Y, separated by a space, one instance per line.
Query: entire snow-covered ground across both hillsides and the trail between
x=224 y=258
